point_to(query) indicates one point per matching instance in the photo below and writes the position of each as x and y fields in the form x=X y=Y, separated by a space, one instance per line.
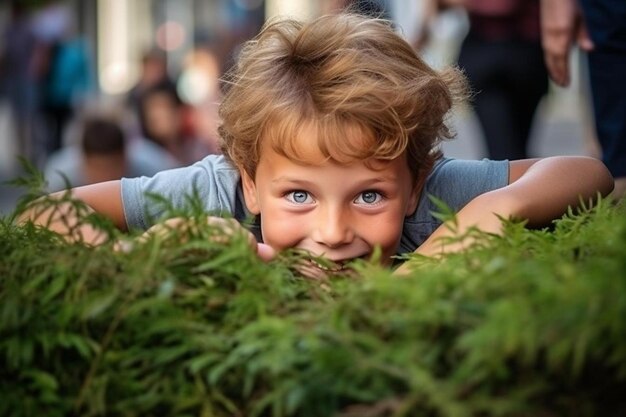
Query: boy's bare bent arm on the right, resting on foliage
x=539 y=191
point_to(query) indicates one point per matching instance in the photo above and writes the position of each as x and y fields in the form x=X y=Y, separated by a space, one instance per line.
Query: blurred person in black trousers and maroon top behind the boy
x=503 y=60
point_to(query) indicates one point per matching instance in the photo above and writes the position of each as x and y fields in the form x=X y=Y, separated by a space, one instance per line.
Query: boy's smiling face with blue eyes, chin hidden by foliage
x=340 y=211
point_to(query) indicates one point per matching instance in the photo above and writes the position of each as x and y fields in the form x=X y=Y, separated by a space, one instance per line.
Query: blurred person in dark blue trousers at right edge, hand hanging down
x=599 y=29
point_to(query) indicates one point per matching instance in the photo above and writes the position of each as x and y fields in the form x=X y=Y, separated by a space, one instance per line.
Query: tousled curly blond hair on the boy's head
x=336 y=74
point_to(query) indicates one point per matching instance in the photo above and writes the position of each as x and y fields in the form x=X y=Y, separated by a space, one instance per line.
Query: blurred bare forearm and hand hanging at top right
x=561 y=25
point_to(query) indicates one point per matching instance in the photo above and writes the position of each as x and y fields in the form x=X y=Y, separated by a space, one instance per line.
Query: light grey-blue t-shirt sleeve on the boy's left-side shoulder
x=212 y=179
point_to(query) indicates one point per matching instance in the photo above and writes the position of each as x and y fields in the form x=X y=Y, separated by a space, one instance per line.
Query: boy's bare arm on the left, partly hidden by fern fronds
x=103 y=198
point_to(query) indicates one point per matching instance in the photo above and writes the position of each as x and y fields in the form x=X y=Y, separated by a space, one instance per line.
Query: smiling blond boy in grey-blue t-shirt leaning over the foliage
x=329 y=132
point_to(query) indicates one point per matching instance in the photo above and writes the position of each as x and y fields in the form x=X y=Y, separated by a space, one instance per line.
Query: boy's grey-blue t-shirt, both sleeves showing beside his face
x=217 y=183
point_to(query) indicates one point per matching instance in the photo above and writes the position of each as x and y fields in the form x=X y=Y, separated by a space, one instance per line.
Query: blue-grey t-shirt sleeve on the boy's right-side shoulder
x=455 y=182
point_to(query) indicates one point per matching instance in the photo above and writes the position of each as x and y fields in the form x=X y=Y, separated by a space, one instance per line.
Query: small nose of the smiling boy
x=333 y=228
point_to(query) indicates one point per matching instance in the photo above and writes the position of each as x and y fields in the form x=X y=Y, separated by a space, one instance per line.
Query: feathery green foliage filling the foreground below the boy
x=529 y=324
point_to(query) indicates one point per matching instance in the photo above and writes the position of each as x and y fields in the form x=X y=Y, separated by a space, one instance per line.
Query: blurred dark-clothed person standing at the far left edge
x=17 y=77
